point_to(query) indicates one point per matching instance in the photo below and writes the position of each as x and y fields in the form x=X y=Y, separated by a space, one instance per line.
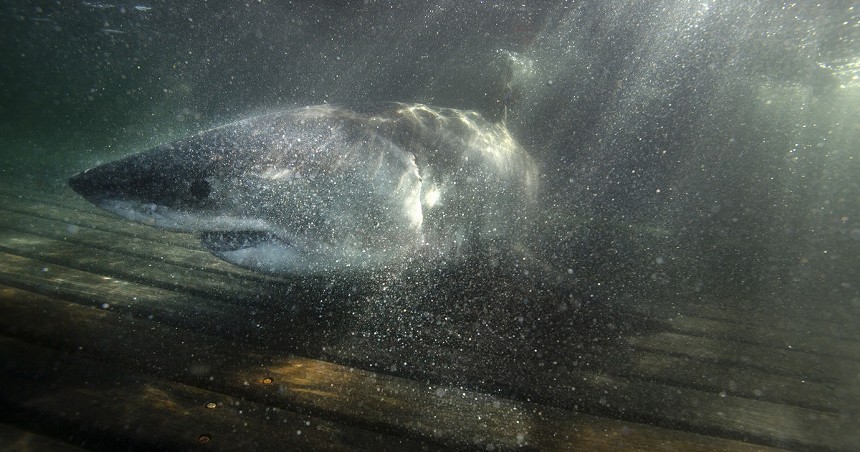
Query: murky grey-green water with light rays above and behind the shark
x=685 y=147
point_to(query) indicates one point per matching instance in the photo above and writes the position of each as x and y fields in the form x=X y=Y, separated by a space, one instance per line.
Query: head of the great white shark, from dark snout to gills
x=294 y=192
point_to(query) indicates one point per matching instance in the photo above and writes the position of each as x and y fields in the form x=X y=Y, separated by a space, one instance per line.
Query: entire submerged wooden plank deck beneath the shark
x=119 y=336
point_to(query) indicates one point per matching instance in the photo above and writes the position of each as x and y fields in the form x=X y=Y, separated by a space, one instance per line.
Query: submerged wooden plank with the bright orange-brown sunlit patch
x=451 y=416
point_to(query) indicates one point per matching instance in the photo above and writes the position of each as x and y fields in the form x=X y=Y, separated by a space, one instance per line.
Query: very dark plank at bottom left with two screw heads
x=95 y=404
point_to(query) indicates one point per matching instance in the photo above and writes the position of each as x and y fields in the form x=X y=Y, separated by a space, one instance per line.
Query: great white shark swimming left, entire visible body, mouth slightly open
x=329 y=188
